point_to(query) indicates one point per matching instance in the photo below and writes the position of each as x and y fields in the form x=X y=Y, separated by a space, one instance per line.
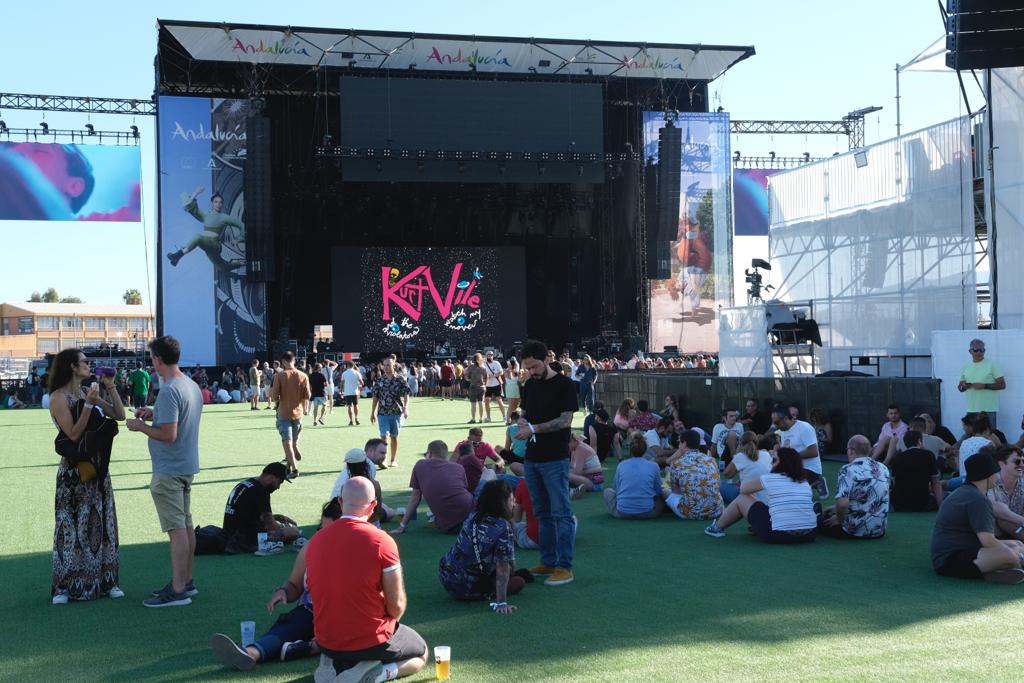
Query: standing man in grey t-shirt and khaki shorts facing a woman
x=175 y=452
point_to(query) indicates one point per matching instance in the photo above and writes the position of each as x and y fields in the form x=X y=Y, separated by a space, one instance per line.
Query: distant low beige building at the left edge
x=31 y=330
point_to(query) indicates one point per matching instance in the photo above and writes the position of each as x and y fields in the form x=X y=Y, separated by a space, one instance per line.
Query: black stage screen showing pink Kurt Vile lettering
x=398 y=298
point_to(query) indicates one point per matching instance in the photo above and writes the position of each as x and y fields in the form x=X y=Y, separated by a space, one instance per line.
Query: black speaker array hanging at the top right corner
x=985 y=34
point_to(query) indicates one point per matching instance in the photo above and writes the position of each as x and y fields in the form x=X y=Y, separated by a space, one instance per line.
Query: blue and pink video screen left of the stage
x=52 y=182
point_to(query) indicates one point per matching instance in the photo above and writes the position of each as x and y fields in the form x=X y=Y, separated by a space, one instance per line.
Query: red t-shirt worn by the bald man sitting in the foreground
x=345 y=566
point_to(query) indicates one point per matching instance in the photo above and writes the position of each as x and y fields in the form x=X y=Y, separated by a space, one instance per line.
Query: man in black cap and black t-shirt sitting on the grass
x=248 y=511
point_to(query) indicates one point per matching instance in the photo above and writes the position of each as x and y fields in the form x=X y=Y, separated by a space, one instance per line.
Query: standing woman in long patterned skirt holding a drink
x=86 y=534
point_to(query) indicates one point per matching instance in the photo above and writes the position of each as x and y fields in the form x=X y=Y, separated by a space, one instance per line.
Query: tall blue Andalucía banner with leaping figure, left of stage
x=207 y=300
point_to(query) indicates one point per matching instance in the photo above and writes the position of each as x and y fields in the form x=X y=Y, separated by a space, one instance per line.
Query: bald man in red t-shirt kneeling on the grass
x=355 y=579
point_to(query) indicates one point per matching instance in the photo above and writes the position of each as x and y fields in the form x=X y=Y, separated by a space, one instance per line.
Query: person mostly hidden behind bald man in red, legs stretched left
x=292 y=635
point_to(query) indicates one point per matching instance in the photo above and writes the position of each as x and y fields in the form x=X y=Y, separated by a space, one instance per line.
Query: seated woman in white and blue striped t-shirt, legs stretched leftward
x=789 y=517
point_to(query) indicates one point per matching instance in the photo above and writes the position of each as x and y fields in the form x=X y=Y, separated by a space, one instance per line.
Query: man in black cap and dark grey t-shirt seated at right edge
x=964 y=543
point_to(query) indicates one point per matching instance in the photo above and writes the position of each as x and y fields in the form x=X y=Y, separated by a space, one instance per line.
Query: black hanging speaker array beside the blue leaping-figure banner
x=260 y=220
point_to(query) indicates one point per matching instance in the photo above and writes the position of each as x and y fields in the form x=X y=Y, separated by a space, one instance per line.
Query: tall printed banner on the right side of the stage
x=685 y=308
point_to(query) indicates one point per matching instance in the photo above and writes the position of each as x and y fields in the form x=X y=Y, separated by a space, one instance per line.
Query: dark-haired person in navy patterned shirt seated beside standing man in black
x=481 y=564
